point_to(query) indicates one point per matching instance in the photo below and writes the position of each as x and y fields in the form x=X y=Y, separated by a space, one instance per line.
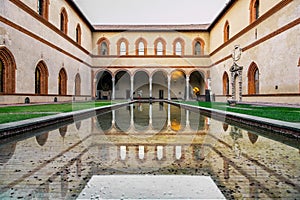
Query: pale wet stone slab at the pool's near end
x=150 y=187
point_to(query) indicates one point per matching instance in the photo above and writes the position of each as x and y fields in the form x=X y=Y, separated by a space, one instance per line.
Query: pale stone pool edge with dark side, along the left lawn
x=19 y=127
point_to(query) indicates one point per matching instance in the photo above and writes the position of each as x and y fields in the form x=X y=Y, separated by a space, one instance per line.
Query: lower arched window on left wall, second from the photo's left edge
x=41 y=78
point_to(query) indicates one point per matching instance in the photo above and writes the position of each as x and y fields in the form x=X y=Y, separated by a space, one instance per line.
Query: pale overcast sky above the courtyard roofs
x=151 y=11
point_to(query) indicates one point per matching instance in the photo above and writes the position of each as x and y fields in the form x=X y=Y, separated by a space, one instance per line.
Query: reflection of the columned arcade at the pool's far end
x=151 y=118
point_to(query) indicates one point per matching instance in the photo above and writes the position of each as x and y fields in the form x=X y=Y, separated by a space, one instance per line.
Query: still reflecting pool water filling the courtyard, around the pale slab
x=148 y=139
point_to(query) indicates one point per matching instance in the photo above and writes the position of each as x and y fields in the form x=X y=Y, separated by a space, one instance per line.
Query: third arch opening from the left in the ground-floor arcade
x=141 y=85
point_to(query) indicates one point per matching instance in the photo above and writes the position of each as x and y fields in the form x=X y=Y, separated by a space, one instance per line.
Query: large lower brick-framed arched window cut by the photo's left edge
x=7 y=71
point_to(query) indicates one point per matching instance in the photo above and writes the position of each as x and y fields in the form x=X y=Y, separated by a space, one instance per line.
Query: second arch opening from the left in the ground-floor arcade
x=122 y=85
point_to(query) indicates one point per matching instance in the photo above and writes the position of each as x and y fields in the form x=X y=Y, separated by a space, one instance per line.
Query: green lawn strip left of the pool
x=17 y=113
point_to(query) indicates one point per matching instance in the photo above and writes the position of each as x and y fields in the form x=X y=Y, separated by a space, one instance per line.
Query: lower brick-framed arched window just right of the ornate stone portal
x=253 y=79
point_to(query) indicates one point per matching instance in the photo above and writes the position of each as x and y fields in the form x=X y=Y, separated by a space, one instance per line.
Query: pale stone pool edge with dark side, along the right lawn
x=275 y=126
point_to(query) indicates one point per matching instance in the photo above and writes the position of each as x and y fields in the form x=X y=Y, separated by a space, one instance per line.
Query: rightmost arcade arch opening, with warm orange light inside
x=197 y=86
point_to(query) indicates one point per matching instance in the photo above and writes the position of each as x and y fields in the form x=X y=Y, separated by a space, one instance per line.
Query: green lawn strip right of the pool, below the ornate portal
x=279 y=113
